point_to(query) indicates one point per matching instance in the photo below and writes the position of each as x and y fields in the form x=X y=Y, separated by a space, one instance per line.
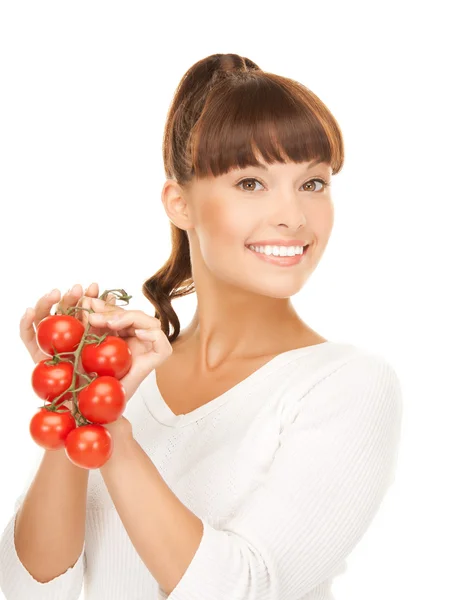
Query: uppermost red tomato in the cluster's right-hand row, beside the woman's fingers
x=110 y=357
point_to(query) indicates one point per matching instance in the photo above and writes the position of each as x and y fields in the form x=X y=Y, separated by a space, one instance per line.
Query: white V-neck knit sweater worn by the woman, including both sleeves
x=287 y=470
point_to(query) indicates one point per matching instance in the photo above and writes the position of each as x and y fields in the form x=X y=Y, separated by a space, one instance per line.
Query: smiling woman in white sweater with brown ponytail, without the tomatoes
x=255 y=452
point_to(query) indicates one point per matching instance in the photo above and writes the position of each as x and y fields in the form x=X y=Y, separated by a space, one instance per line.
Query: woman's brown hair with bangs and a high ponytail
x=224 y=110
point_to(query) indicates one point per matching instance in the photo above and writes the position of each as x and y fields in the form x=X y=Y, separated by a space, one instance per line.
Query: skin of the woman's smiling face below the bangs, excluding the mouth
x=281 y=201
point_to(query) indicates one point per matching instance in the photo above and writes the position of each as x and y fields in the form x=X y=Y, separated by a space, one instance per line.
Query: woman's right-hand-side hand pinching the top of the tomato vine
x=148 y=343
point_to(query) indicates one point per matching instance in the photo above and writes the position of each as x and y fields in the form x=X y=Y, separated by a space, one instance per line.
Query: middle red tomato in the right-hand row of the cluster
x=103 y=400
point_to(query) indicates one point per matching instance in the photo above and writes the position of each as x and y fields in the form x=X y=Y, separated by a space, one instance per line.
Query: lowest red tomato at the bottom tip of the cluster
x=89 y=446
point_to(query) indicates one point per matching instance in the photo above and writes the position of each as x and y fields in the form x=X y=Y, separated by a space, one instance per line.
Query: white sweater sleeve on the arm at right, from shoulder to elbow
x=336 y=459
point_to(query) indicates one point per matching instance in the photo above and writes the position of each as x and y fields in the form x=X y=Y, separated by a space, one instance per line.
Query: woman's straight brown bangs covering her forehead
x=262 y=118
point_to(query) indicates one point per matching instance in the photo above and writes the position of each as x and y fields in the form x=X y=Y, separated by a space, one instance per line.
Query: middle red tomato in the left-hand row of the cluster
x=49 y=381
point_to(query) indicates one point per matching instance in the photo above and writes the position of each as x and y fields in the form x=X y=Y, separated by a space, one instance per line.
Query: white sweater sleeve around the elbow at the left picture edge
x=17 y=583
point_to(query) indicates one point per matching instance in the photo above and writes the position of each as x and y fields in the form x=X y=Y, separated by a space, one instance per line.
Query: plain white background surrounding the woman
x=85 y=89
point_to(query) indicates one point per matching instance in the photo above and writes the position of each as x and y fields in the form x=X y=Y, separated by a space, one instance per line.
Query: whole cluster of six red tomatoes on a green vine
x=99 y=400
